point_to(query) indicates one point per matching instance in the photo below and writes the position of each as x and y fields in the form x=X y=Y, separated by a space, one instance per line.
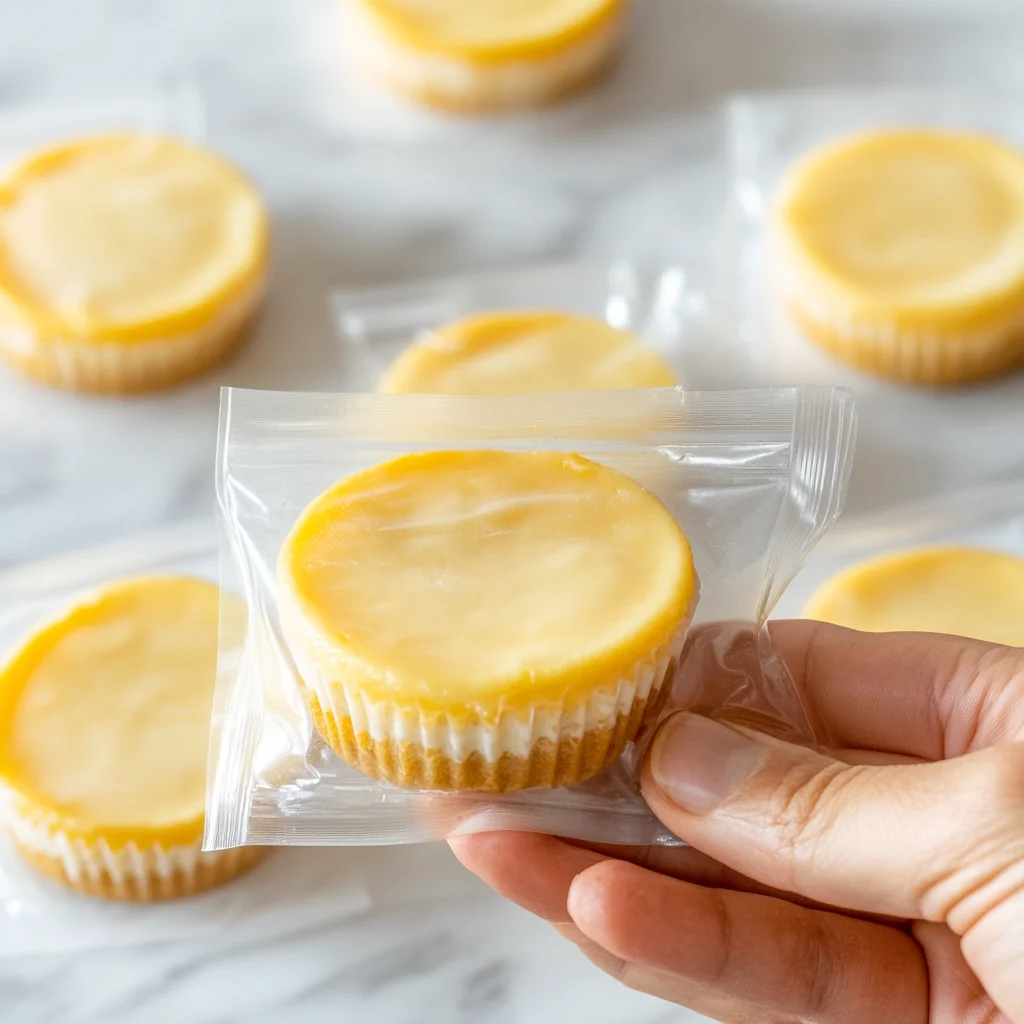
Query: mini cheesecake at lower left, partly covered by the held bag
x=105 y=722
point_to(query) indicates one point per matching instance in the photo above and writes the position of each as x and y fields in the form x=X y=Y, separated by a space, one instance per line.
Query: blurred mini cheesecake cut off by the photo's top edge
x=471 y=57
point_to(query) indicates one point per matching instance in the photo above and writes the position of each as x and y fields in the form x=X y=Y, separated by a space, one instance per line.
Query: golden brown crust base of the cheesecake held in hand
x=413 y=766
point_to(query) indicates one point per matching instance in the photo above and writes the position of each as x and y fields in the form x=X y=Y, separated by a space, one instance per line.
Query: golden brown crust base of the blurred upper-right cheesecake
x=933 y=363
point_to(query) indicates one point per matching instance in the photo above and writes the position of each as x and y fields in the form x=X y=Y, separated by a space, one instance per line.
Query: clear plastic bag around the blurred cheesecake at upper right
x=765 y=136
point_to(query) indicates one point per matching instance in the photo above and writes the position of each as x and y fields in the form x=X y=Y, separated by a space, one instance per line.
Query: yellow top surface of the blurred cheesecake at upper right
x=917 y=225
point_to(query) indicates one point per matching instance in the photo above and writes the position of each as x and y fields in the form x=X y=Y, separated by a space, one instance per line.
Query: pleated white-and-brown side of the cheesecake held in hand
x=551 y=746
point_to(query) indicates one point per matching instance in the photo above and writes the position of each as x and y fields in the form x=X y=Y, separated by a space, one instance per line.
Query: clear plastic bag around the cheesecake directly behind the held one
x=664 y=306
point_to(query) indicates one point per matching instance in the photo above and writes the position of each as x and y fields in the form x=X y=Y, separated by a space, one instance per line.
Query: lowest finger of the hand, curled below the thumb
x=753 y=951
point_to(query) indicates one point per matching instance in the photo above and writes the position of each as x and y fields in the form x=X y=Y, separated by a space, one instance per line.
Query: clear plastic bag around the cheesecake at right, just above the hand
x=990 y=517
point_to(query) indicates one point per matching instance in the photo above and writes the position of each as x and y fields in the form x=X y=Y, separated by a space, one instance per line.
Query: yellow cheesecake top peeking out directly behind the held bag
x=522 y=353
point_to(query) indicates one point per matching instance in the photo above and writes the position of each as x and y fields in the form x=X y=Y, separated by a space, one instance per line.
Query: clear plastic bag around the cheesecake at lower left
x=37 y=916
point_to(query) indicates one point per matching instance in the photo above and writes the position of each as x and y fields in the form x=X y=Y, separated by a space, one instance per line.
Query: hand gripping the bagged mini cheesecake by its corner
x=881 y=883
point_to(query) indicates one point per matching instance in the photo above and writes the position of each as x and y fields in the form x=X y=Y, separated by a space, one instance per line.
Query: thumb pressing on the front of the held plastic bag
x=936 y=841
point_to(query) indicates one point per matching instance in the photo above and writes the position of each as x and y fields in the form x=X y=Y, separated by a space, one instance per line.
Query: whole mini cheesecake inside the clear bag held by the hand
x=488 y=621
